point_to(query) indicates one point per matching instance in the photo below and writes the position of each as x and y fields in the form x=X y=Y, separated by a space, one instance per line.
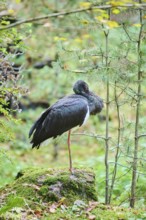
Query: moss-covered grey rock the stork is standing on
x=47 y=185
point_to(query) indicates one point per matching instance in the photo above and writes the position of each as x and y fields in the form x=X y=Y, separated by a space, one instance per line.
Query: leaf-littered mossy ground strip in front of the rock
x=78 y=210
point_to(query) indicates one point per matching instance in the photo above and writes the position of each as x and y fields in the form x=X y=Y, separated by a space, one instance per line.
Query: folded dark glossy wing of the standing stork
x=61 y=117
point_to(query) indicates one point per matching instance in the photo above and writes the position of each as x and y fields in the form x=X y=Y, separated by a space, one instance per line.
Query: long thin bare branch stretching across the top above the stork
x=104 y=7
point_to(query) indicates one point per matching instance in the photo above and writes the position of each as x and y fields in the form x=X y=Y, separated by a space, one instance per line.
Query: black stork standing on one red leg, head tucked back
x=66 y=113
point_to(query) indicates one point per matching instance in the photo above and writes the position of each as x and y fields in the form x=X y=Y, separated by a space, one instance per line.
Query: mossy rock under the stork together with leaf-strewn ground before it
x=52 y=194
